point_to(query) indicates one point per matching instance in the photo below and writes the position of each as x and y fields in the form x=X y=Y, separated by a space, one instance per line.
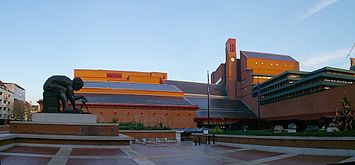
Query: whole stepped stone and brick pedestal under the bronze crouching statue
x=65 y=128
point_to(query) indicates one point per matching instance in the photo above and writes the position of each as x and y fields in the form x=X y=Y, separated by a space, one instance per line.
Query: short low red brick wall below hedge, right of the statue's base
x=140 y=134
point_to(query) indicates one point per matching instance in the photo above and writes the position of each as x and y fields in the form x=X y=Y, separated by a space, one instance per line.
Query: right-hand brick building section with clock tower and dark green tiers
x=285 y=94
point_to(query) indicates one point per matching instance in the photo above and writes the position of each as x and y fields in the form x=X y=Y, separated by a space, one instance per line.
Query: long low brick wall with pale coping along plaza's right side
x=286 y=141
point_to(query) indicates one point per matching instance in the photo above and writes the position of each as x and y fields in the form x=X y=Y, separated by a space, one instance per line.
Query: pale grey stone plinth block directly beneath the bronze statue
x=64 y=118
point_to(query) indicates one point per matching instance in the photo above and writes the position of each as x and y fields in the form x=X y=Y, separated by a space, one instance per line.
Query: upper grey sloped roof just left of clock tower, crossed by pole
x=198 y=88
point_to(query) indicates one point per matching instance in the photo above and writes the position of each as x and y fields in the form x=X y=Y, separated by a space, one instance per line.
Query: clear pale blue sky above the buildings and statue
x=183 y=38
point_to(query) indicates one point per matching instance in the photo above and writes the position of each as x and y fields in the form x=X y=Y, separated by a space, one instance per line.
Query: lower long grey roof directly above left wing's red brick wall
x=136 y=100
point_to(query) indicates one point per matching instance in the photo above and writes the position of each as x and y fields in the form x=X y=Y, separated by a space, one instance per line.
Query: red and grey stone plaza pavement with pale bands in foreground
x=153 y=154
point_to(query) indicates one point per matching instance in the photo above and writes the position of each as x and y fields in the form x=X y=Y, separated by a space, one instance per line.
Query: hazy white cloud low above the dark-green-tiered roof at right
x=335 y=58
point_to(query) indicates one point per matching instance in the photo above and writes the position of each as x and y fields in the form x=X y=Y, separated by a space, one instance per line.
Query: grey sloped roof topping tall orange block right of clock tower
x=269 y=56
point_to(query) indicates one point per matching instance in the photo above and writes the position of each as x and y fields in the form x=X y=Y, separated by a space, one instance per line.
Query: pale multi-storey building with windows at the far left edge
x=6 y=104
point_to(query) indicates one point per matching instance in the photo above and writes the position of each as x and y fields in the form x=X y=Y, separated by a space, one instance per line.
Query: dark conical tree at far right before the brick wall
x=344 y=116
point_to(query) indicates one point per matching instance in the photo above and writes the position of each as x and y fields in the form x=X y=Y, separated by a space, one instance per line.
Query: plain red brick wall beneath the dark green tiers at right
x=309 y=107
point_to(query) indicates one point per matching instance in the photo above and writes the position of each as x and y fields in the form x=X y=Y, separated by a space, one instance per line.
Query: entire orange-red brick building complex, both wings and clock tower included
x=257 y=85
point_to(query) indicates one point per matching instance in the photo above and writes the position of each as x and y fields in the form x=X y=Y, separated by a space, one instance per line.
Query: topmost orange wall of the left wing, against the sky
x=120 y=76
